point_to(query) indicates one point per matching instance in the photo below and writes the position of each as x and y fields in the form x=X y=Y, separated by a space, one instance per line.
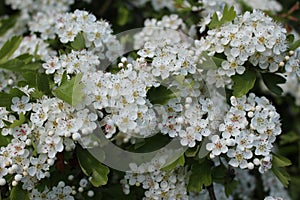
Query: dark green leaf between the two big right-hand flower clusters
x=243 y=83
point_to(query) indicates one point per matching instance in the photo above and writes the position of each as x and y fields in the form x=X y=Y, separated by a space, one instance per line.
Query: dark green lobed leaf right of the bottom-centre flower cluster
x=201 y=175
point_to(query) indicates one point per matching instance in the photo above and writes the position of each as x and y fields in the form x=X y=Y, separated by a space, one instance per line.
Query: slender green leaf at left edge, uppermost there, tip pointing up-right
x=9 y=48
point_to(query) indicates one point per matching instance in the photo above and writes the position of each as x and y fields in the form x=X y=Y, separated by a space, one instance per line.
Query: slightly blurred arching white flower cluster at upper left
x=97 y=34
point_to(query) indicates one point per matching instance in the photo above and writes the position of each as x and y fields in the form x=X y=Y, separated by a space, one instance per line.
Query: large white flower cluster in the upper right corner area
x=252 y=37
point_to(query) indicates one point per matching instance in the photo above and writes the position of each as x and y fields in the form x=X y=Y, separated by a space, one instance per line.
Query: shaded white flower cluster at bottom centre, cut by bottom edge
x=158 y=184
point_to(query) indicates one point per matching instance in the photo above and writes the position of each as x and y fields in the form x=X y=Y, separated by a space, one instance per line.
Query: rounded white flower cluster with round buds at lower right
x=249 y=130
